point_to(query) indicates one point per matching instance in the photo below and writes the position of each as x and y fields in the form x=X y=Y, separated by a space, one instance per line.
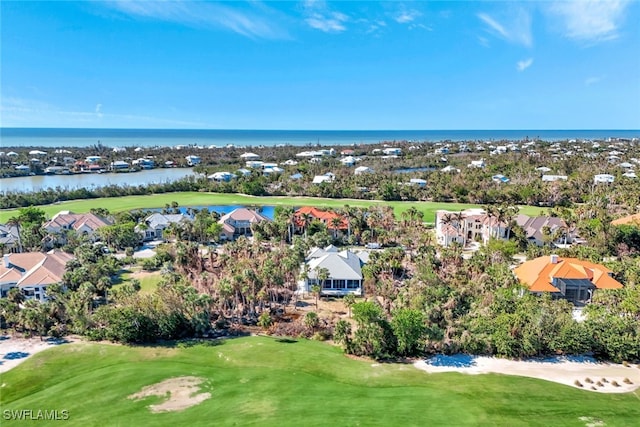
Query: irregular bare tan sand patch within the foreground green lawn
x=179 y=393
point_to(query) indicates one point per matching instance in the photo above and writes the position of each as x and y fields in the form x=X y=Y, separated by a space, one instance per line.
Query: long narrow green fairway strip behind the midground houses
x=117 y=204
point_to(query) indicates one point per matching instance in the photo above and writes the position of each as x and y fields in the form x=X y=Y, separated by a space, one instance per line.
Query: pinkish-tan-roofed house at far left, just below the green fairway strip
x=86 y=224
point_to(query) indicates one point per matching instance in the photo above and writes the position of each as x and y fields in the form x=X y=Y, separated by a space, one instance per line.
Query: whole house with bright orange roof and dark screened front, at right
x=569 y=278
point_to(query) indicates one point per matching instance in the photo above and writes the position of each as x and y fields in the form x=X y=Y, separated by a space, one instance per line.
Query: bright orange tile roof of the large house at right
x=539 y=273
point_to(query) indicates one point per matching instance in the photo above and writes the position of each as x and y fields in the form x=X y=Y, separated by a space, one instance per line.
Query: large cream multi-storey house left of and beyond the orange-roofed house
x=468 y=226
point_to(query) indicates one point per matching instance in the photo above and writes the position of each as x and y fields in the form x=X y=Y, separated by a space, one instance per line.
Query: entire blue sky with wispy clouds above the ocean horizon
x=321 y=65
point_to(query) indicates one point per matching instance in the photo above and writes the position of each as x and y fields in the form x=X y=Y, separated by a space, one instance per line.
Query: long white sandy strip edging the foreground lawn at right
x=560 y=370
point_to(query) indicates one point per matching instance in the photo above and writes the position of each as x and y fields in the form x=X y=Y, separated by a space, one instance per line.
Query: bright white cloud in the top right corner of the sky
x=590 y=20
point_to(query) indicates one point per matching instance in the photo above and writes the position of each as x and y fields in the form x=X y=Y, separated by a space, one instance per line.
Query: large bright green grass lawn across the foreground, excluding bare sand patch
x=263 y=381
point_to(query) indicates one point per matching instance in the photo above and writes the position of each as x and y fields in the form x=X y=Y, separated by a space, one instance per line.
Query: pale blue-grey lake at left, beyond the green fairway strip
x=27 y=184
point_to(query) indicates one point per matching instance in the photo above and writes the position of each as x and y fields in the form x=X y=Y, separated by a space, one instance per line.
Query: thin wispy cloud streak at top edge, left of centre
x=252 y=23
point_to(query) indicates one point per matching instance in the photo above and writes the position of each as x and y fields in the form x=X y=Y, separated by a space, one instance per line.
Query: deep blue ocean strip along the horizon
x=58 y=137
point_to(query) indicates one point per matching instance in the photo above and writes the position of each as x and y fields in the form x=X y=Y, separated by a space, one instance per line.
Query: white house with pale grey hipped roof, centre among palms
x=344 y=271
